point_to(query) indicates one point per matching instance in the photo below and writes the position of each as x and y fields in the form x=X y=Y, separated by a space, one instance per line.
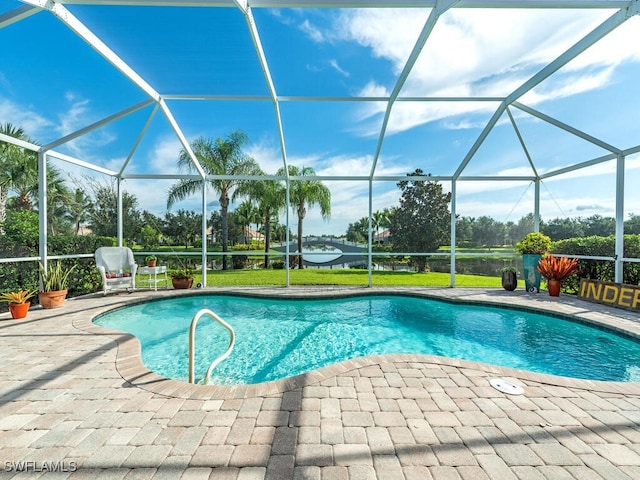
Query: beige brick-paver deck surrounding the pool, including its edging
x=75 y=398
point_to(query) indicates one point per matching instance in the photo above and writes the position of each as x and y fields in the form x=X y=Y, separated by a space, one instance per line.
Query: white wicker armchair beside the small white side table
x=117 y=268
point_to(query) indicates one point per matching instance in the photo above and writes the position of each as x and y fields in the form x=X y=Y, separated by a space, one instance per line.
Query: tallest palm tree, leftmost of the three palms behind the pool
x=219 y=157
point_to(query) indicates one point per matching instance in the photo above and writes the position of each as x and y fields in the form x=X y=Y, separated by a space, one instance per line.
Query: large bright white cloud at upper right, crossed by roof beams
x=481 y=52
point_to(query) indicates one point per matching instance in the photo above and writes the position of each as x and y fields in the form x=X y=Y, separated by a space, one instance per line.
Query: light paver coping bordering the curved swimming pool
x=129 y=364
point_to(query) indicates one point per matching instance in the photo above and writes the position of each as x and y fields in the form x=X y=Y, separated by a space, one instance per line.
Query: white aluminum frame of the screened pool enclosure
x=625 y=9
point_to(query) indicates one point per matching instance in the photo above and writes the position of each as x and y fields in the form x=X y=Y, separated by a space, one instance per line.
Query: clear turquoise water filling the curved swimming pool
x=280 y=338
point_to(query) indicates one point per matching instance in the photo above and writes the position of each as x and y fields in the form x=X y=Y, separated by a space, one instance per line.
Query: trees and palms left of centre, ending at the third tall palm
x=94 y=204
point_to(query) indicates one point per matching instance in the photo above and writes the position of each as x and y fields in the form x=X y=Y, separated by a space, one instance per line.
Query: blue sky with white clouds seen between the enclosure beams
x=52 y=84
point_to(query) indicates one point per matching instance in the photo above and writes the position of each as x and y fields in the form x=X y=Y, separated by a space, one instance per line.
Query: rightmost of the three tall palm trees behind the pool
x=307 y=193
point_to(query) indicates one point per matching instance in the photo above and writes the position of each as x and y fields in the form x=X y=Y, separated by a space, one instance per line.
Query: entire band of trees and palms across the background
x=420 y=222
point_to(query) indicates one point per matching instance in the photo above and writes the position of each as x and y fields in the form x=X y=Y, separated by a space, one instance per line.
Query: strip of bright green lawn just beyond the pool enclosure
x=347 y=277
